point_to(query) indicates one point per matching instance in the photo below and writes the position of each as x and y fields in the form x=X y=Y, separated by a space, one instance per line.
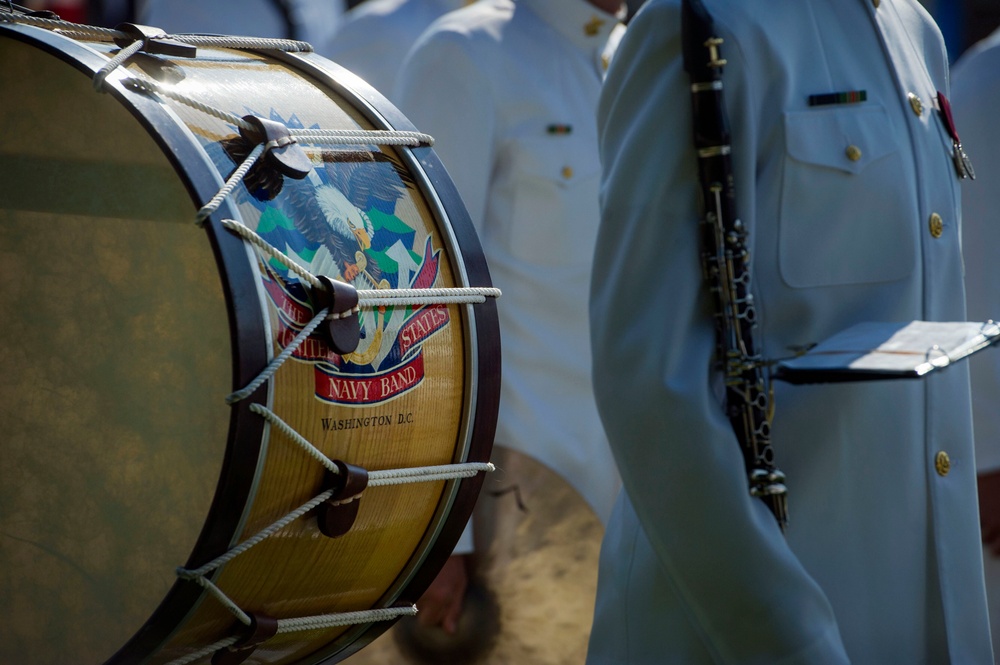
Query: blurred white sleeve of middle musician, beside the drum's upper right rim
x=445 y=92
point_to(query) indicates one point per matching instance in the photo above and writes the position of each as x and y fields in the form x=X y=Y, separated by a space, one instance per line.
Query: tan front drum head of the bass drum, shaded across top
x=116 y=351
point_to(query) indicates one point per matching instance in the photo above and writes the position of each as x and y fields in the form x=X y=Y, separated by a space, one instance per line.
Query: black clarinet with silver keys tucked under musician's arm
x=725 y=264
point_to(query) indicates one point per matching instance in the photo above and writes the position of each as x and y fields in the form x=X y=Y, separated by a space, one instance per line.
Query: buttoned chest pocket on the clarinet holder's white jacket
x=845 y=215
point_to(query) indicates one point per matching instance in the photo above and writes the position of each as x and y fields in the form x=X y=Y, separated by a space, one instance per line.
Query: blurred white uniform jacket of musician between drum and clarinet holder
x=509 y=91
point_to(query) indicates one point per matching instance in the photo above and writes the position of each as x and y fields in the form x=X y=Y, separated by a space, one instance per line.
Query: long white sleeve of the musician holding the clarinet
x=653 y=344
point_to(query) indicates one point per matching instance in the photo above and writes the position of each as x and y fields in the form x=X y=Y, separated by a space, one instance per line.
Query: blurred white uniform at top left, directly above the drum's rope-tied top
x=313 y=21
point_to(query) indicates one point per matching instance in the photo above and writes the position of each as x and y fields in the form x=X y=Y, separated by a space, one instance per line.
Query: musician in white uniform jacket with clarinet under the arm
x=851 y=203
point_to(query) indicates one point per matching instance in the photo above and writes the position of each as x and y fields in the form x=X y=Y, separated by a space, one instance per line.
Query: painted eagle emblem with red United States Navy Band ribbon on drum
x=347 y=220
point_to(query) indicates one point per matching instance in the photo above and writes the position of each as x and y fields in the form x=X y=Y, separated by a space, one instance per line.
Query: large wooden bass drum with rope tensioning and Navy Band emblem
x=125 y=325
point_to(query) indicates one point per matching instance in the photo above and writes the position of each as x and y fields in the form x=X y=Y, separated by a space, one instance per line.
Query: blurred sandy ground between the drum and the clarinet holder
x=539 y=562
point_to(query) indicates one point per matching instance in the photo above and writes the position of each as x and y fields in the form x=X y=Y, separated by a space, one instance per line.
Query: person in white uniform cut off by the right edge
x=975 y=100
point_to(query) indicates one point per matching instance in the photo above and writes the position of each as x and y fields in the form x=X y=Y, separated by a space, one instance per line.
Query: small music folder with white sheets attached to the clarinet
x=880 y=350
